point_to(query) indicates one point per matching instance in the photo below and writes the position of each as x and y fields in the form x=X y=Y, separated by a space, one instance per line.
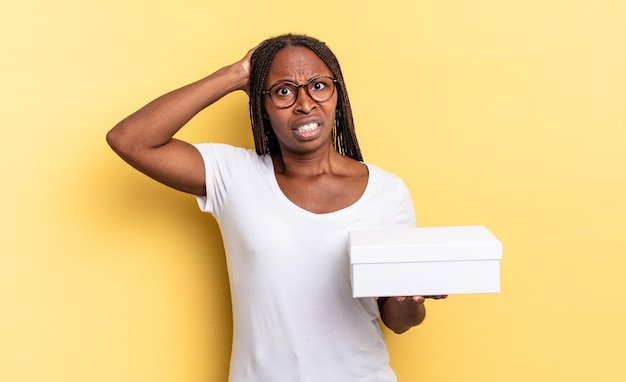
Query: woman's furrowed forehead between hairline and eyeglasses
x=296 y=63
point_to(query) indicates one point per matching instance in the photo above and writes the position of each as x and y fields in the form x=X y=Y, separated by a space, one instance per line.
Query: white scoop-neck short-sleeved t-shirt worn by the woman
x=294 y=316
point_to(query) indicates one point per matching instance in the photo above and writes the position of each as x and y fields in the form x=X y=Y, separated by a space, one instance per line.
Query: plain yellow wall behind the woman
x=509 y=114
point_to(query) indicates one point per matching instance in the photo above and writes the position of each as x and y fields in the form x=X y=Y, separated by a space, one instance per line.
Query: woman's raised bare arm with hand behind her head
x=145 y=138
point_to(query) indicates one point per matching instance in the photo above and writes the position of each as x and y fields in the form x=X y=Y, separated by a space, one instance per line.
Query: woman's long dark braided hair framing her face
x=265 y=141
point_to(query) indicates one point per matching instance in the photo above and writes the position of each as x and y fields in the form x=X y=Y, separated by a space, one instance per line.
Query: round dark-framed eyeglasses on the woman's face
x=285 y=93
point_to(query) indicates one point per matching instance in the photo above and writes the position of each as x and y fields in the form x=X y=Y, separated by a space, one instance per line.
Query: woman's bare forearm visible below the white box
x=400 y=315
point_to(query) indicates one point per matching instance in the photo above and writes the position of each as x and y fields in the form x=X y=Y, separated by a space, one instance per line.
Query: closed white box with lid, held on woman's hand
x=424 y=261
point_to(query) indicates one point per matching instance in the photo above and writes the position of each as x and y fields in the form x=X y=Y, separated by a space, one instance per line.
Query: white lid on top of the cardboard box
x=462 y=243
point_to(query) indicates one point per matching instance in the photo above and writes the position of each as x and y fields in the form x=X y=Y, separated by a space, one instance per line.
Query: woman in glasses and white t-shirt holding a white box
x=284 y=212
